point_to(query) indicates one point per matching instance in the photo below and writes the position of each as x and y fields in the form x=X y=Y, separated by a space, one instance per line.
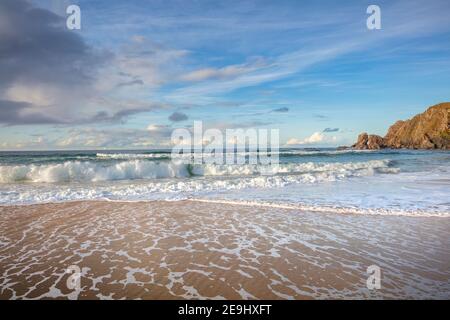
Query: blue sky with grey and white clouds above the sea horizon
x=137 y=70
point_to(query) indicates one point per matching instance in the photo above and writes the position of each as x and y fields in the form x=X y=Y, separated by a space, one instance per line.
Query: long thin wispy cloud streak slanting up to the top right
x=340 y=40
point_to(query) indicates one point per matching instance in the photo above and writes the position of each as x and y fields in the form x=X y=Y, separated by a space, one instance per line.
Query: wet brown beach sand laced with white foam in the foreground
x=189 y=249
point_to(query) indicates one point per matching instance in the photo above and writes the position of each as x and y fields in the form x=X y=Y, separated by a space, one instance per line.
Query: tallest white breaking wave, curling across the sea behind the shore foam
x=141 y=169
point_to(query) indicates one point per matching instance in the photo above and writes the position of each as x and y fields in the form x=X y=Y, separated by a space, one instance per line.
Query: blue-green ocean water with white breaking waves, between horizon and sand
x=393 y=182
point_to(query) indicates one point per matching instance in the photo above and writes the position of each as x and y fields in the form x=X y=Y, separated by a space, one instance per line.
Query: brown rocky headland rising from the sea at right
x=428 y=130
